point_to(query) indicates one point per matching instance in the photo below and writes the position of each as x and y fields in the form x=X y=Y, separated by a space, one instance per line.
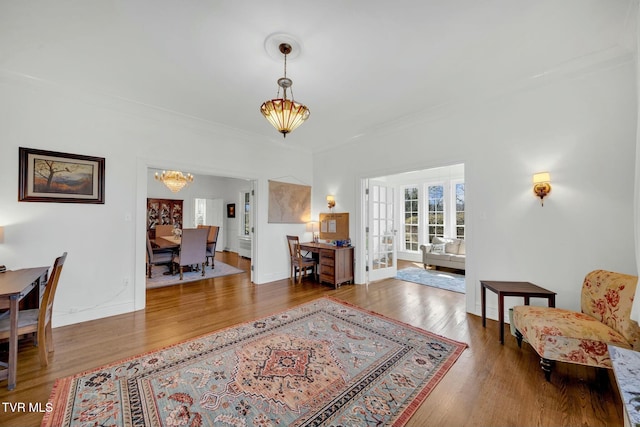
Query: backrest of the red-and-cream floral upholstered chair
x=608 y=297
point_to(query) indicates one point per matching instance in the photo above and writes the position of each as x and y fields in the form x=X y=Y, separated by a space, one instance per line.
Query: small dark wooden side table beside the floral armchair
x=511 y=289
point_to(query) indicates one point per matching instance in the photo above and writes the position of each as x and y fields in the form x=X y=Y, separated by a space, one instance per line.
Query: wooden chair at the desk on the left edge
x=38 y=320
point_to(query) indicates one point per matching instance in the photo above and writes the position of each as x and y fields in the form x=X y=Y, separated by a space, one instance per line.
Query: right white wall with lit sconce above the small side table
x=581 y=128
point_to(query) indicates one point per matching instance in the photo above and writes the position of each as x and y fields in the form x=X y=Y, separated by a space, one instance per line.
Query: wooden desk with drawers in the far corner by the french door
x=335 y=263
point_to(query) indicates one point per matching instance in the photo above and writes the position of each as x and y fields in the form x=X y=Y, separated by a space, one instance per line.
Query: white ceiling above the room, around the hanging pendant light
x=363 y=65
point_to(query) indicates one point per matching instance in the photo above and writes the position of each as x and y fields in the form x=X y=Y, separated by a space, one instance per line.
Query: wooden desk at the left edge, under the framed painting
x=14 y=286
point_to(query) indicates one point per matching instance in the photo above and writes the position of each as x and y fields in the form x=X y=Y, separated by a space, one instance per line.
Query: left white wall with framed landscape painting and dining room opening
x=104 y=273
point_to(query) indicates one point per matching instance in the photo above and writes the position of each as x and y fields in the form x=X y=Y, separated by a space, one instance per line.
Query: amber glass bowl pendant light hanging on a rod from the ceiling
x=284 y=114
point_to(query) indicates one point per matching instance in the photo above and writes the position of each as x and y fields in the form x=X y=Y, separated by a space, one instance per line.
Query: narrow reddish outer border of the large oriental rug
x=61 y=386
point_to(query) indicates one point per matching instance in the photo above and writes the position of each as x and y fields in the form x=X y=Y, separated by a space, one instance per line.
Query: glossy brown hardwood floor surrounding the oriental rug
x=489 y=385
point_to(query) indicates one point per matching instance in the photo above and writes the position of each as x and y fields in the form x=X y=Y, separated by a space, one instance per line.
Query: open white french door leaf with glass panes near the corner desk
x=381 y=235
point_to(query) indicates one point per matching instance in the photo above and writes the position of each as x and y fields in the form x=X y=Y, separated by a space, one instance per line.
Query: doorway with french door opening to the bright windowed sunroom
x=400 y=215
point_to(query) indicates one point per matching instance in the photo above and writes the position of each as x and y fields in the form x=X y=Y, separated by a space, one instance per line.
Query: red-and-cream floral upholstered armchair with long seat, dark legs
x=567 y=336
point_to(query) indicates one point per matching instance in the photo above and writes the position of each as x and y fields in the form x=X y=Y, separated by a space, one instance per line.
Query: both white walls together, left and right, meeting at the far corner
x=580 y=128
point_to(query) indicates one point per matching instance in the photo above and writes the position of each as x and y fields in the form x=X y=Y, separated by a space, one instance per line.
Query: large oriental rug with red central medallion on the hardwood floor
x=325 y=362
